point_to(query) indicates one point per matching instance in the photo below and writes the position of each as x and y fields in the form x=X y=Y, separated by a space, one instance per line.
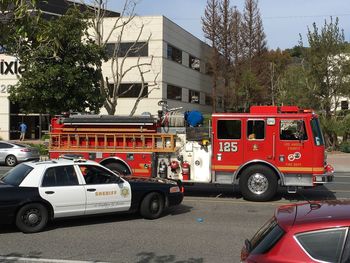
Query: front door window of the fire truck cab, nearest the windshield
x=293 y=130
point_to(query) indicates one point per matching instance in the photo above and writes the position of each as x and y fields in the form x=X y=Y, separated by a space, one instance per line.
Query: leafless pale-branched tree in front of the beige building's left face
x=111 y=87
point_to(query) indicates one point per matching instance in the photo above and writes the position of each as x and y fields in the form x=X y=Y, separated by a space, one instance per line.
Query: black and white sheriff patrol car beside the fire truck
x=34 y=192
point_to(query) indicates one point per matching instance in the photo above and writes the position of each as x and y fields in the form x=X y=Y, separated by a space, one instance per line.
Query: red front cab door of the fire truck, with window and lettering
x=294 y=147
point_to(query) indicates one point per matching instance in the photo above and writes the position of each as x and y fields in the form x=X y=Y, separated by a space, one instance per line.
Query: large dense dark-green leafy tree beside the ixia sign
x=61 y=66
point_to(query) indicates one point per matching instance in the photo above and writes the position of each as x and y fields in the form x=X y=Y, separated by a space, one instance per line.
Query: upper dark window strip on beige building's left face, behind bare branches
x=129 y=49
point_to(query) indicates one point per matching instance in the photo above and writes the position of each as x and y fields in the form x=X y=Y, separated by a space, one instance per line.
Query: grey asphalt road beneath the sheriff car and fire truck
x=210 y=226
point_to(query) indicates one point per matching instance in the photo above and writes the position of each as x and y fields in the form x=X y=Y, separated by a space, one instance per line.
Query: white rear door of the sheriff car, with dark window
x=60 y=186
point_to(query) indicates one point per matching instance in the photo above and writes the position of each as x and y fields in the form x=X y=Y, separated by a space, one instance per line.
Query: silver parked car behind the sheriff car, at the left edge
x=12 y=153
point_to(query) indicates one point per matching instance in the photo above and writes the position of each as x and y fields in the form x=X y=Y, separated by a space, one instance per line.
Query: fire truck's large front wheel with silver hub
x=258 y=183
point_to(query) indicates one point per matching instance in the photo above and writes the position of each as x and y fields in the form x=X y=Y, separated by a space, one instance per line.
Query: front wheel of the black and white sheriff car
x=152 y=206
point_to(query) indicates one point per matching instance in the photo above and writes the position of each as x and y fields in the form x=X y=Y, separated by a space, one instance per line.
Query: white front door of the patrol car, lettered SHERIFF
x=105 y=192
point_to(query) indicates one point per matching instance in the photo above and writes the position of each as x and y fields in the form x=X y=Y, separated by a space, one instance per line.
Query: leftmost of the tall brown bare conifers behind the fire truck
x=210 y=26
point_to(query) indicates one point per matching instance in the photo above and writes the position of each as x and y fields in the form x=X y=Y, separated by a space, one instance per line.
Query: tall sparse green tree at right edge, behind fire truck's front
x=328 y=66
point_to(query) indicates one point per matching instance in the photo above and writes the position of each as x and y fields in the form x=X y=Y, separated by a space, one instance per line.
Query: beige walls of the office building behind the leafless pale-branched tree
x=162 y=32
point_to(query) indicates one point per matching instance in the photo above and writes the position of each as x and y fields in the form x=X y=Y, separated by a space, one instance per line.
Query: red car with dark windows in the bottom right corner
x=307 y=232
